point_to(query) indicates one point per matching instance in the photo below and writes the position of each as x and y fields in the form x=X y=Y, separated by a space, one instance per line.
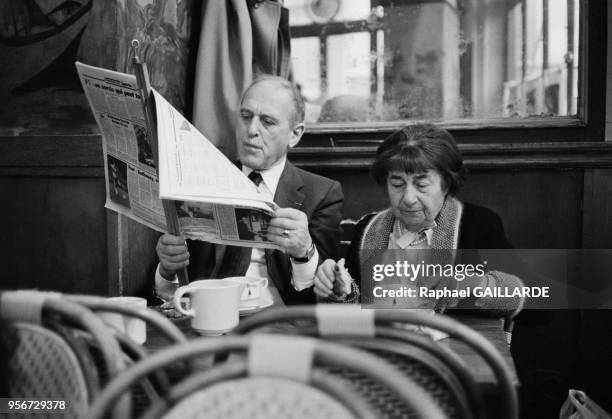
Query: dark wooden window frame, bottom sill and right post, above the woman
x=587 y=127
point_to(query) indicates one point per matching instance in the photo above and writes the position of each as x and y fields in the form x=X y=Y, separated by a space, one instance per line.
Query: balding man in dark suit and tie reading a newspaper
x=305 y=225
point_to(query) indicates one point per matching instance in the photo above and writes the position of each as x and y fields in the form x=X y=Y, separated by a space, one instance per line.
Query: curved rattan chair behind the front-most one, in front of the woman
x=440 y=372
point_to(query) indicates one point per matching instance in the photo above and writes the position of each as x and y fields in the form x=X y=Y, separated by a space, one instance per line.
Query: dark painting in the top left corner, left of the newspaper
x=39 y=42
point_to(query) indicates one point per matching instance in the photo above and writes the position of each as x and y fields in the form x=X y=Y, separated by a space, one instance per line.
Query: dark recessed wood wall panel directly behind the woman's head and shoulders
x=540 y=208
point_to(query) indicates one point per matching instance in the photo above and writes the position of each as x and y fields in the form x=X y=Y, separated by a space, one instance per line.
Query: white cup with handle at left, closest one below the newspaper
x=214 y=305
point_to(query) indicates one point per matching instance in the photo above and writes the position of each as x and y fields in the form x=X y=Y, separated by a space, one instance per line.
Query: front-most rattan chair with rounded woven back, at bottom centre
x=277 y=379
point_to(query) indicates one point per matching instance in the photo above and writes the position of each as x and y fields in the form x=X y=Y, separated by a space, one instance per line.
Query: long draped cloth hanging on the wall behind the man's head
x=238 y=39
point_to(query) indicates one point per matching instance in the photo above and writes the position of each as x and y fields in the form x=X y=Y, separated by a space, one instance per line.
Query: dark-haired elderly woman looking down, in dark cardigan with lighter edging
x=421 y=169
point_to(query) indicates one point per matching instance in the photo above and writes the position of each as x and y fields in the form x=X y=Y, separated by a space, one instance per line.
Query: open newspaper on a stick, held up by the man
x=214 y=200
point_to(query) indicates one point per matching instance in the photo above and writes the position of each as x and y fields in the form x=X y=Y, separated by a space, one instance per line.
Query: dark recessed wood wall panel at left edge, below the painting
x=54 y=234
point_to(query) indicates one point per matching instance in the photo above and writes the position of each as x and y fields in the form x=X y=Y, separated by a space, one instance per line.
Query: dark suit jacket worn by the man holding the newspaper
x=318 y=197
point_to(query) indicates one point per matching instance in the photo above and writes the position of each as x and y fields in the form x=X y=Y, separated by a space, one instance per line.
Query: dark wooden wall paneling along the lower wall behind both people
x=56 y=185
